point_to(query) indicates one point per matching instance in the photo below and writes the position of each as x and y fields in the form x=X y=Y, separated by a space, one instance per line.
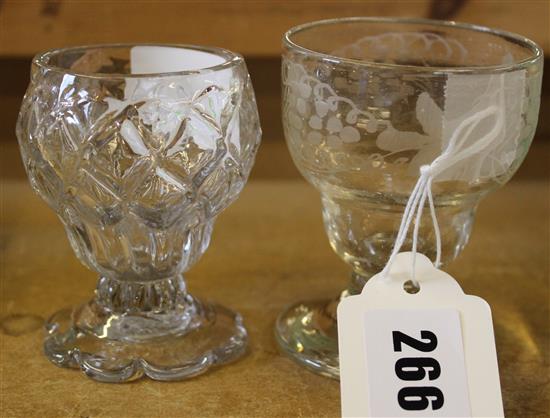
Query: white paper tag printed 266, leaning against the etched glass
x=429 y=354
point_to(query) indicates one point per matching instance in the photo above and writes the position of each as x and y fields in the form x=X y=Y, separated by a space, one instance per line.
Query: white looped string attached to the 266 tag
x=457 y=150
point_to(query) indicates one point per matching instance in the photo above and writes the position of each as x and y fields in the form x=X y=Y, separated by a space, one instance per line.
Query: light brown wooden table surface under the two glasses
x=268 y=249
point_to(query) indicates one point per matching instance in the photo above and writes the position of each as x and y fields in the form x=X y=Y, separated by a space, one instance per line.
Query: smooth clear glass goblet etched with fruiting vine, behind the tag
x=366 y=102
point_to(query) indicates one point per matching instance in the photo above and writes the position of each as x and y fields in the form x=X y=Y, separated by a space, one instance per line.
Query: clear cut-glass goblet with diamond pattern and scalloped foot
x=138 y=148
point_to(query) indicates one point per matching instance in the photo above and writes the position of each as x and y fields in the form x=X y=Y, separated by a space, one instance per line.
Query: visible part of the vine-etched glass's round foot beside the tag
x=308 y=333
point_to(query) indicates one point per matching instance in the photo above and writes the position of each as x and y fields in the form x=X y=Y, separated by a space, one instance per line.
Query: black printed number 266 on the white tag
x=418 y=398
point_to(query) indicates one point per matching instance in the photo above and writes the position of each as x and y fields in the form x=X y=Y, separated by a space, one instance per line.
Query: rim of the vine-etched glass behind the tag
x=536 y=50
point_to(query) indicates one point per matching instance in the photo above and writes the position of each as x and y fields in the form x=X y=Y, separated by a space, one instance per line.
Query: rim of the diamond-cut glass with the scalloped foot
x=231 y=59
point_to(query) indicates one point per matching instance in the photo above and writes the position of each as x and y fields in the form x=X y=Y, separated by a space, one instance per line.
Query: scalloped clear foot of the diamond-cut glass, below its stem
x=105 y=349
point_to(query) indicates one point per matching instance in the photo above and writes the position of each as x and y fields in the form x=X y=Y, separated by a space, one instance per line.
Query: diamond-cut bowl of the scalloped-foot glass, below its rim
x=138 y=183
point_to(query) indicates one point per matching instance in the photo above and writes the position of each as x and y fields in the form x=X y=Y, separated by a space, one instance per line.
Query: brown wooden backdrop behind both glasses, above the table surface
x=253 y=28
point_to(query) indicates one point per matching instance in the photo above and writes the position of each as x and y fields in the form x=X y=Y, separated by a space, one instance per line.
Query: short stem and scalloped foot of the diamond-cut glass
x=154 y=328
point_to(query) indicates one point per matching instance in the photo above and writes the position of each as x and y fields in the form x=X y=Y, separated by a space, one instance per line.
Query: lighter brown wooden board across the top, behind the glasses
x=250 y=27
